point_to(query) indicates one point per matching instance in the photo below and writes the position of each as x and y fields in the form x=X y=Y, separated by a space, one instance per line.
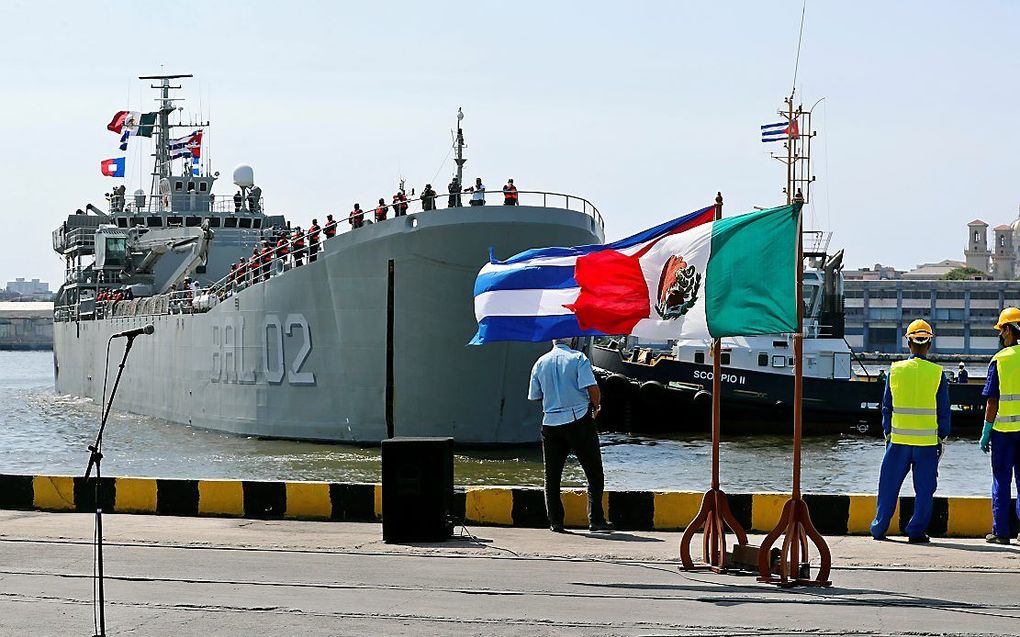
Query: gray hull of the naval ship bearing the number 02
x=368 y=343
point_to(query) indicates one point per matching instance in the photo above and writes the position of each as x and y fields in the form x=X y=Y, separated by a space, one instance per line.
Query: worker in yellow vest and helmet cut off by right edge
x=1002 y=424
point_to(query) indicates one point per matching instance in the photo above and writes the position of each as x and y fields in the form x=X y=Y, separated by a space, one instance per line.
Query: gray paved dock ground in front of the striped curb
x=241 y=577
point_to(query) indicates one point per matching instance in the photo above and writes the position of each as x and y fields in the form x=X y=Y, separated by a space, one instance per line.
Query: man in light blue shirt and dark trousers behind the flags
x=563 y=380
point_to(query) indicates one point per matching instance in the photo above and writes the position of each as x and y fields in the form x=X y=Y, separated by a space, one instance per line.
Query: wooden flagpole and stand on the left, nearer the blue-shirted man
x=715 y=515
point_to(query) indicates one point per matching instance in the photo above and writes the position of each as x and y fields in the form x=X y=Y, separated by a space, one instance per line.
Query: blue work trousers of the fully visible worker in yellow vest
x=923 y=462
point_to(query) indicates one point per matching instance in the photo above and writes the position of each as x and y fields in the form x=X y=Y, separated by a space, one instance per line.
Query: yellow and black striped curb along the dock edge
x=521 y=507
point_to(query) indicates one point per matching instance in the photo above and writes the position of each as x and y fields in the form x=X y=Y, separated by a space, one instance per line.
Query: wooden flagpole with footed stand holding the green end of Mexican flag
x=796 y=520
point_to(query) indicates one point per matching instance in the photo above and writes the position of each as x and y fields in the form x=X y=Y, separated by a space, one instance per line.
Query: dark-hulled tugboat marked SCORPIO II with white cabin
x=667 y=388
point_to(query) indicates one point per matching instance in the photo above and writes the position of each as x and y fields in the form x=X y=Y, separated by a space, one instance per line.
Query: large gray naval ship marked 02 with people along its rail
x=366 y=343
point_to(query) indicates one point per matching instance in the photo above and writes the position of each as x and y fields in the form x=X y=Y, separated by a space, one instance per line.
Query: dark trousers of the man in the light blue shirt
x=582 y=438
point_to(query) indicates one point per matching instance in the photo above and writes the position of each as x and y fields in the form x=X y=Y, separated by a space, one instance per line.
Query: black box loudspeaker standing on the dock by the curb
x=418 y=490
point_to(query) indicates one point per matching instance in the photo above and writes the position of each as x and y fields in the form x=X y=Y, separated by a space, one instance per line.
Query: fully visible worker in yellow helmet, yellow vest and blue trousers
x=916 y=421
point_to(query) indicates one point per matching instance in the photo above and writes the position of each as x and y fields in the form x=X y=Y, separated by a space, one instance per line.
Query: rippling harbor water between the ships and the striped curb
x=42 y=433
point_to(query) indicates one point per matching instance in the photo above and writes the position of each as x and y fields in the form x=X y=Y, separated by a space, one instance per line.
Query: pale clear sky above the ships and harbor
x=646 y=109
